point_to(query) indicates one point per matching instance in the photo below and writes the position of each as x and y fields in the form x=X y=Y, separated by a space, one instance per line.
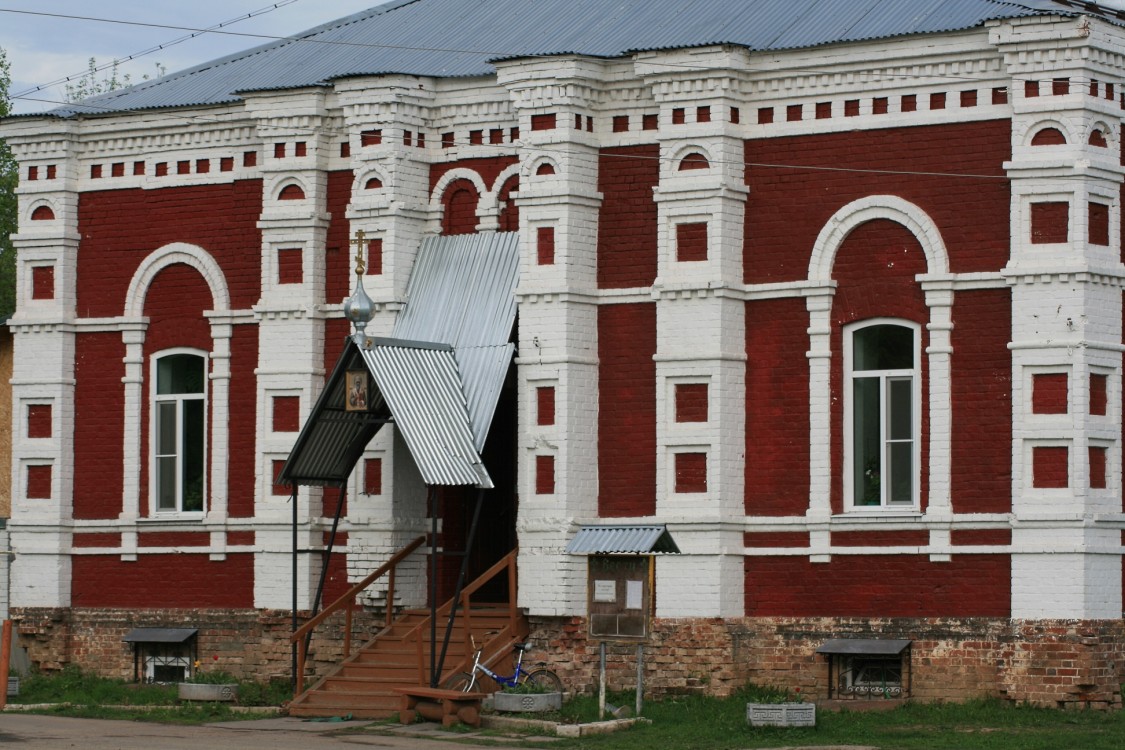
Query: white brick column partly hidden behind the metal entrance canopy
x=391 y=203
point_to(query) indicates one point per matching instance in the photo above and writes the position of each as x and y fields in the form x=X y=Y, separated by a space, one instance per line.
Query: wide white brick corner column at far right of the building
x=1066 y=277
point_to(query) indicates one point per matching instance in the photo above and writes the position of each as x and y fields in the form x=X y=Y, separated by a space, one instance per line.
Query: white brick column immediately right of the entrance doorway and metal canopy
x=559 y=378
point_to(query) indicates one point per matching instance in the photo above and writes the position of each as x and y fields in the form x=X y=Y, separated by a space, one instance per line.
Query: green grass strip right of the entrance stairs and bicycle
x=705 y=724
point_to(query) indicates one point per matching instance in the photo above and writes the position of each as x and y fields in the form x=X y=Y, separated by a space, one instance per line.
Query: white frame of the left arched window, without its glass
x=179 y=400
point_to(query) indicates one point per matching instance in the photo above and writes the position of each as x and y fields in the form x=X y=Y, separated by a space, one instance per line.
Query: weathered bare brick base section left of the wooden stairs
x=250 y=645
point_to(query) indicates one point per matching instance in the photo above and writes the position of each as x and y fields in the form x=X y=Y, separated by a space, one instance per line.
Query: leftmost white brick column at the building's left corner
x=43 y=371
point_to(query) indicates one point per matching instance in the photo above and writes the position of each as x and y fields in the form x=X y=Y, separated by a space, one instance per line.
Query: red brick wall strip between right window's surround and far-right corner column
x=982 y=395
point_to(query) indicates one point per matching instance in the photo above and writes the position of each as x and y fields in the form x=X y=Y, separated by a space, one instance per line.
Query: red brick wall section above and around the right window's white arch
x=789 y=206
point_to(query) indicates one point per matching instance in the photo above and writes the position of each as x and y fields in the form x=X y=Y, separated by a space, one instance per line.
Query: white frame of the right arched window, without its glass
x=885 y=377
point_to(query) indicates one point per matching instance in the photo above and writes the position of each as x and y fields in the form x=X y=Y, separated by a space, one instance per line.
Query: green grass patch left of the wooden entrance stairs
x=75 y=693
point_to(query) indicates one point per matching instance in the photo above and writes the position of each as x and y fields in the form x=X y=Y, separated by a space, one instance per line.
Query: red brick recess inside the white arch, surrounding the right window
x=876 y=269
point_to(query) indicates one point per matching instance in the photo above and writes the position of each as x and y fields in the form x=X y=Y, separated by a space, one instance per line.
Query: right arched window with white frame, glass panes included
x=883 y=415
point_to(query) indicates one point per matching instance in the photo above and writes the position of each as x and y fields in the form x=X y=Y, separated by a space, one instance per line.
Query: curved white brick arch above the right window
x=877 y=207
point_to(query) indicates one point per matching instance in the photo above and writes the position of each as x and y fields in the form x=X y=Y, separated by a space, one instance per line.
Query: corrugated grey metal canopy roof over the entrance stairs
x=438 y=378
